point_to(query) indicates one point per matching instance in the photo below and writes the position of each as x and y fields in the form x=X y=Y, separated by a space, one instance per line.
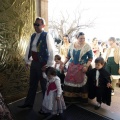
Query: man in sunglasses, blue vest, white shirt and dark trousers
x=39 y=54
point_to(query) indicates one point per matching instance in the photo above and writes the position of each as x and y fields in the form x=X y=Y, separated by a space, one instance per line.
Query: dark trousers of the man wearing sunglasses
x=35 y=77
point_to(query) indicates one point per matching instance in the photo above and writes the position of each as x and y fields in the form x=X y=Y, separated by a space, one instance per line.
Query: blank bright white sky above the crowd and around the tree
x=105 y=12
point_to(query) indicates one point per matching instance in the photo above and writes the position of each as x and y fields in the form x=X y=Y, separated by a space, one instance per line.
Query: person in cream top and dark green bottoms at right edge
x=113 y=61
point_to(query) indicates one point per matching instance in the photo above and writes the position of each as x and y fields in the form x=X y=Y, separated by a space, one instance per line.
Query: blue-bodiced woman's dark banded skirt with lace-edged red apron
x=75 y=87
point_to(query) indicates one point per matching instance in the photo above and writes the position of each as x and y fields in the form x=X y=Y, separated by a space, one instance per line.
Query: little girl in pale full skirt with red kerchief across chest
x=53 y=101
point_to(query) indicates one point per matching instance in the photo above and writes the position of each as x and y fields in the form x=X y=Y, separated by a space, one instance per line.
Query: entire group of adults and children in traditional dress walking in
x=90 y=72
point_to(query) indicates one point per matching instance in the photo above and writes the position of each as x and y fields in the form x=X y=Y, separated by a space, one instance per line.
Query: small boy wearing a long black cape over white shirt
x=99 y=83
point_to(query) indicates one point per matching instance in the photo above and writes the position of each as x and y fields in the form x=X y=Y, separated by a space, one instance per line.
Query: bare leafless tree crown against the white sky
x=68 y=25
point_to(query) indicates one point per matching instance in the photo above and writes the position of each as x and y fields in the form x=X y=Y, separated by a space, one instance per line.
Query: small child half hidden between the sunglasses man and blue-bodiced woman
x=59 y=66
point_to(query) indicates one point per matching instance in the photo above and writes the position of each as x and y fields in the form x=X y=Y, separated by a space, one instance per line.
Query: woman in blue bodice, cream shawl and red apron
x=80 y=56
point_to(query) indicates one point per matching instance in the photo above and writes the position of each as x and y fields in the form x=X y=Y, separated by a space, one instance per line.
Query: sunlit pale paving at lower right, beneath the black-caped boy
x=112 y=111
